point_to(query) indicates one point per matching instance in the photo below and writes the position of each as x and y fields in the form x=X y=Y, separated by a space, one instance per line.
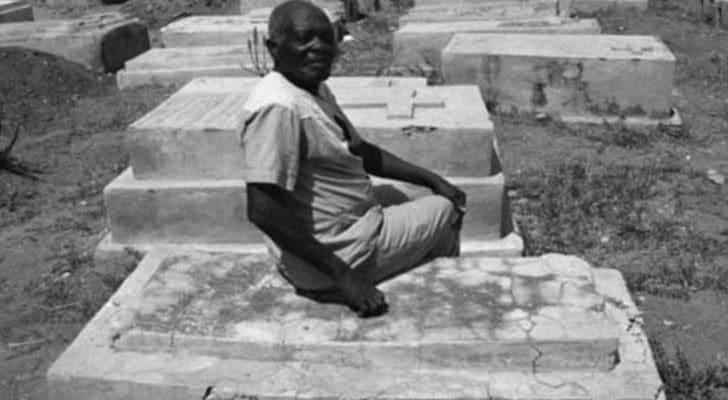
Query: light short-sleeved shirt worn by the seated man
x=294 y=139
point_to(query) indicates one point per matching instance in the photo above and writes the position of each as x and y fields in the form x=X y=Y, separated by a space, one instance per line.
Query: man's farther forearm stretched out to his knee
x=382 y=163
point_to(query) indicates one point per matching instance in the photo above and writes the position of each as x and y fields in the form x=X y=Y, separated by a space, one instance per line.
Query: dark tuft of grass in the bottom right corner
x=684 y=382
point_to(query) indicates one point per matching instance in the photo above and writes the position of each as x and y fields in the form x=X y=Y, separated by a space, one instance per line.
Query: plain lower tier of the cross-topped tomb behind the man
x=215 y=211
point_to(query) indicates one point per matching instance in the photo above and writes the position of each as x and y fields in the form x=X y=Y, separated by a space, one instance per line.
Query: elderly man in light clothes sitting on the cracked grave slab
x=308 y=182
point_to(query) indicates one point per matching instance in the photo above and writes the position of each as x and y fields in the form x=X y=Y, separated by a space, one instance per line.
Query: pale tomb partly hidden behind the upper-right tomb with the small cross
x=417 y=43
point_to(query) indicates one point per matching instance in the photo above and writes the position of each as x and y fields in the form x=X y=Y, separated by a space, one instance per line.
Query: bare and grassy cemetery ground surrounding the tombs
x=649 y=202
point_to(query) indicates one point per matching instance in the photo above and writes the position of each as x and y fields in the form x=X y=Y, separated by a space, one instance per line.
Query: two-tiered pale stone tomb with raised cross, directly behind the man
x=185 y=186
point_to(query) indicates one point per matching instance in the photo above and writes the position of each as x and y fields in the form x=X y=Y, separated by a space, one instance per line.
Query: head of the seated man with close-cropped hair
x=302 y=43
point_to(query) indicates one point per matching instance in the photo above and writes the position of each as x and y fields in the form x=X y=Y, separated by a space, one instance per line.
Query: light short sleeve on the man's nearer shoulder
x=271 y=140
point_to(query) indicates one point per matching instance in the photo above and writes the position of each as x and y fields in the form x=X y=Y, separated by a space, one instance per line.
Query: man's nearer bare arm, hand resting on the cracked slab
x=267 y=210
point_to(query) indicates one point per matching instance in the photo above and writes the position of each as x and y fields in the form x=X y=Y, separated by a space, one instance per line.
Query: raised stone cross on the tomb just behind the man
x=399 y=103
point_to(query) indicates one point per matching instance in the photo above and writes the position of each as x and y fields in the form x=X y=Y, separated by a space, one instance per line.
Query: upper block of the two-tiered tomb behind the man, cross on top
x=195 y=134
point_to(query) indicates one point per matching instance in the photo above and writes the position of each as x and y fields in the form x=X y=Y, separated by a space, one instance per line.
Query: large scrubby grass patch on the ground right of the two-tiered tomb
x=627 y=217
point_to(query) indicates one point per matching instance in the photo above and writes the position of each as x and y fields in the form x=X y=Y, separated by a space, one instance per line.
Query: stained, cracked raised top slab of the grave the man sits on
x=454 y=313
